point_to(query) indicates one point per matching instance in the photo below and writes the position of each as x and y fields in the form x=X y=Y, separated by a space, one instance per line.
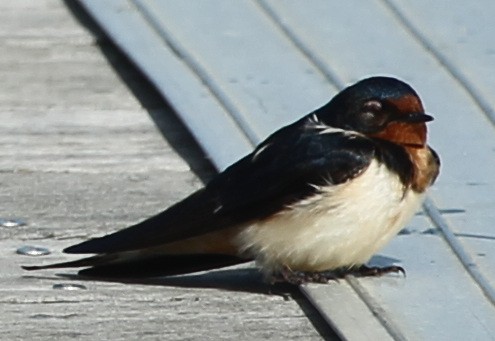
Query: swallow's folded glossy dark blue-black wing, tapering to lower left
x=281 y=171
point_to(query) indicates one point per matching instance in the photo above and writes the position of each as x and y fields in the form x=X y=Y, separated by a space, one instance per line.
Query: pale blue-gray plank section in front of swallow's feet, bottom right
x=436 y=299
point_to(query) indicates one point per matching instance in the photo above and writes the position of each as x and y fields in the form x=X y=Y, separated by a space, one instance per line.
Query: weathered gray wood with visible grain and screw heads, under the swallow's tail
x=79 y=157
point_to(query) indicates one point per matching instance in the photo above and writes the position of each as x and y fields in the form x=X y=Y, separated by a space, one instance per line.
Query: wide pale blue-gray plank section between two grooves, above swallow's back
x=252 y=75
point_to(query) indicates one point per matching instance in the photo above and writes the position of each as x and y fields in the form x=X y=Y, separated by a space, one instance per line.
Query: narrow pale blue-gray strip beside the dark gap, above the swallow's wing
x=202 y=112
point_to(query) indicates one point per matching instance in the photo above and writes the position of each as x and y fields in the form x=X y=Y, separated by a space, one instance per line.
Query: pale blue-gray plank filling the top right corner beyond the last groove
x=460 y=36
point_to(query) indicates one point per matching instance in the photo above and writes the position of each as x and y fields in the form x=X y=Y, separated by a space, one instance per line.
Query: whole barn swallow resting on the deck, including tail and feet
x=320 y=195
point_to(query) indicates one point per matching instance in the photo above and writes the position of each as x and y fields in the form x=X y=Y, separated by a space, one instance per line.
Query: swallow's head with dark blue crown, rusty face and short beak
x=379 y=107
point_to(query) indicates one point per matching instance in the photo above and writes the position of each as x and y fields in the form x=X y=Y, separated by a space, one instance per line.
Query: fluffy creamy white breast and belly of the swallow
x=341 y=227
